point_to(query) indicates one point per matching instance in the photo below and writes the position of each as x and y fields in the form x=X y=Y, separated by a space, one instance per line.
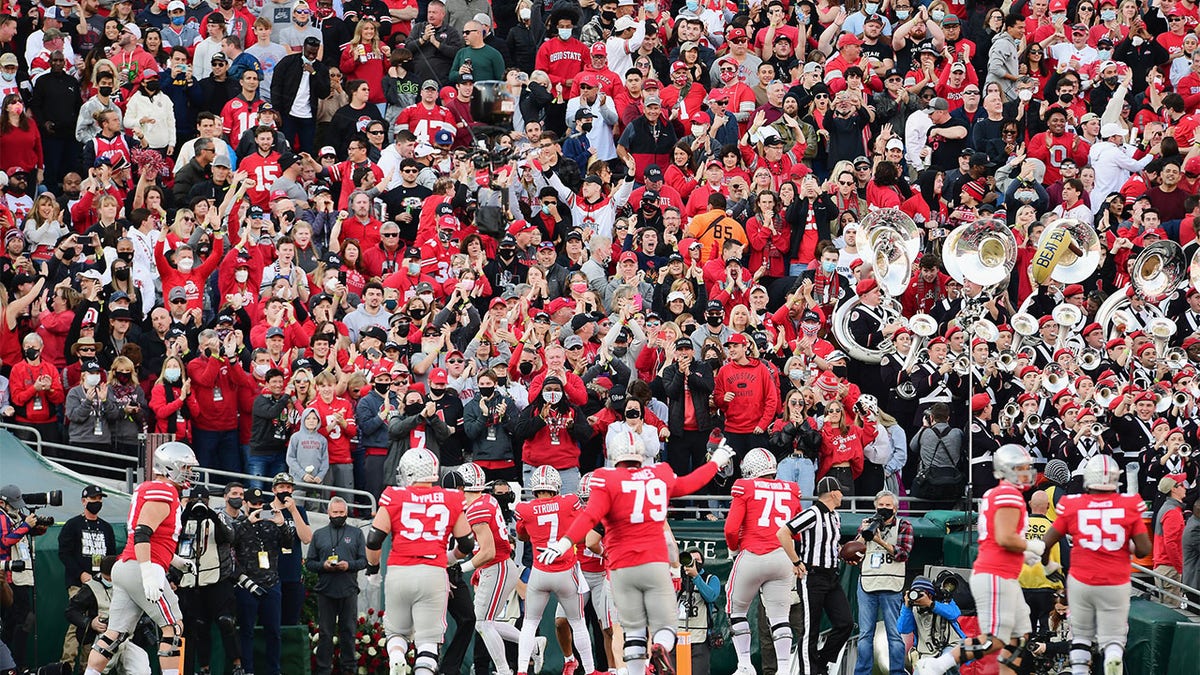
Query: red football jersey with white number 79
x=633 y=506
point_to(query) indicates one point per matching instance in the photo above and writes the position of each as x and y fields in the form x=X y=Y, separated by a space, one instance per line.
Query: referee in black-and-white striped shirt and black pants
x=819 y=529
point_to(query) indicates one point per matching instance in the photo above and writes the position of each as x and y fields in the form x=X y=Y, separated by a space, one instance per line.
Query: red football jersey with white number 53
x=423 y=521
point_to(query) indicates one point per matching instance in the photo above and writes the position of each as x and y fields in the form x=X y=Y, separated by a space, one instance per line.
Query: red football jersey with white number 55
x=1102 y=525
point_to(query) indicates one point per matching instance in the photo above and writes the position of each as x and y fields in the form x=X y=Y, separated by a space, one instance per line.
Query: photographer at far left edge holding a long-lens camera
x=17 y=555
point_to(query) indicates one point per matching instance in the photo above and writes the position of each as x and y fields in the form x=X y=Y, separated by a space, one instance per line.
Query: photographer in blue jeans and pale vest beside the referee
x=889 y=542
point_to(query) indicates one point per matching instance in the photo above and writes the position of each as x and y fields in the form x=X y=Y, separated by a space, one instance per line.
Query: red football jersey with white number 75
x=761 y=506
